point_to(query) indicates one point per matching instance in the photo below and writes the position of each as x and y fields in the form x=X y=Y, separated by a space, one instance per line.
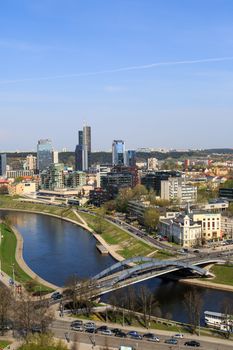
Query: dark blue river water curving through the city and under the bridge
x=56 y=249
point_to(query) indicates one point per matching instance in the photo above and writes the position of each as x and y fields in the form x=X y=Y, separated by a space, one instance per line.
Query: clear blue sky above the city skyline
x=61 y=65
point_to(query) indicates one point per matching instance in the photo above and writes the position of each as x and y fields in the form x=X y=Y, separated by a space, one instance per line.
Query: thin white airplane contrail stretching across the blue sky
x=122 y=69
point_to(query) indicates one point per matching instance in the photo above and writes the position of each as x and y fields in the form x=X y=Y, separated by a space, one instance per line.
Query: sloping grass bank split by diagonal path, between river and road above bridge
x=129 y=246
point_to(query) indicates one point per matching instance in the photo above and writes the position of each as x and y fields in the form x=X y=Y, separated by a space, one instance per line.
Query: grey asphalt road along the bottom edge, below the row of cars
x=60 y=327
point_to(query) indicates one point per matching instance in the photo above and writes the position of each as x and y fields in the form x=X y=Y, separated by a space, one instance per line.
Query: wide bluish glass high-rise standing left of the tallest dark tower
x=44 y=154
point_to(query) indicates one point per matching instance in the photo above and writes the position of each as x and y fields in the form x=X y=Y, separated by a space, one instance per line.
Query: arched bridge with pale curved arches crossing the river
x=138 y=269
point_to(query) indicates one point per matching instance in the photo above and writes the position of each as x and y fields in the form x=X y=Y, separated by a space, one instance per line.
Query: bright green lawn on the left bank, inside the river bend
x=7 y=256
